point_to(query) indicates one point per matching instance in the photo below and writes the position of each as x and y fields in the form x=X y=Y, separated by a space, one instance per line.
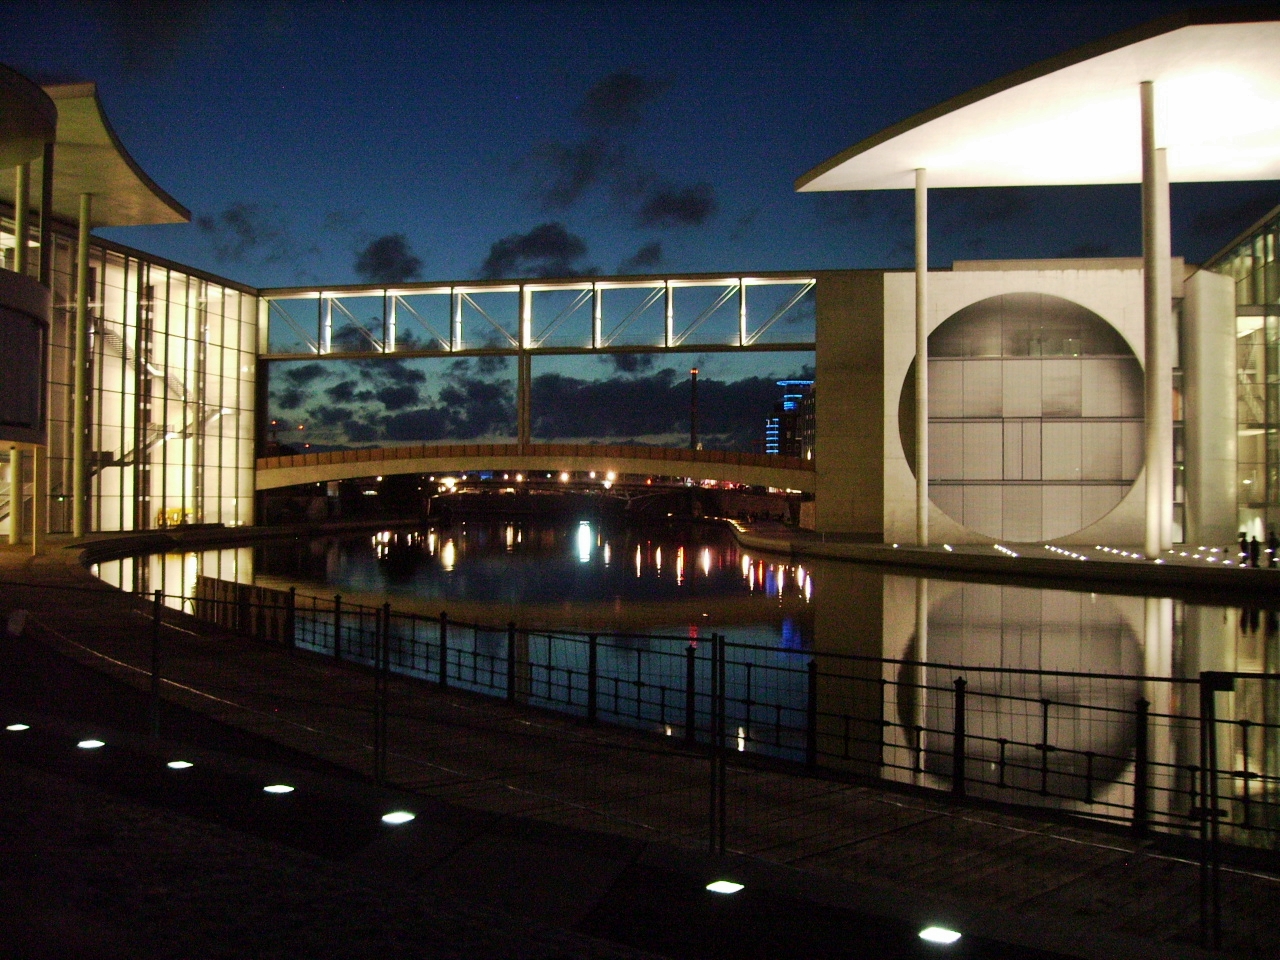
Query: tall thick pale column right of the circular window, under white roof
x=1158 y=327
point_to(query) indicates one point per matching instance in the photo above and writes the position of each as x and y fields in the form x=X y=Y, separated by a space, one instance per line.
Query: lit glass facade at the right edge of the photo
x=1252 y=264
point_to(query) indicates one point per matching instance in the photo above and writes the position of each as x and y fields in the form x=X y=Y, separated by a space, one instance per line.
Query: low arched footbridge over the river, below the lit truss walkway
x=753 y=469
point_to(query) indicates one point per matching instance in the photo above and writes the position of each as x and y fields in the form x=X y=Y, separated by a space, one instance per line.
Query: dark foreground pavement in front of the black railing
x=111 y=853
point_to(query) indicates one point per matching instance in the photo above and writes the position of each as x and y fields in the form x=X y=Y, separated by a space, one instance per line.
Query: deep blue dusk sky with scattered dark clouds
x=348 y=143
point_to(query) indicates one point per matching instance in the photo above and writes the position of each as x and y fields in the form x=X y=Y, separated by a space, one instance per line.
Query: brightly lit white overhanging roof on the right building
x=1076 y=120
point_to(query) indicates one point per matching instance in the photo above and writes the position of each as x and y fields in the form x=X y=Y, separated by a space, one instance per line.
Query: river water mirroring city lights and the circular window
x=889 y=648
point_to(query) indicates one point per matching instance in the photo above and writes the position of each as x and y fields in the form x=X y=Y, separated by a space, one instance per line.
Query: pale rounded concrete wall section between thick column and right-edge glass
x=1209 y=400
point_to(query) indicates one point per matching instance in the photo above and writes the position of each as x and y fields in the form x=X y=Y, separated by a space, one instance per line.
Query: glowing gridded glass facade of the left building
x=172 y=367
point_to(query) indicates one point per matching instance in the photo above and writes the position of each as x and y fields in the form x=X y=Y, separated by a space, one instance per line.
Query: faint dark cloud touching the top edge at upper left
x=152 y=34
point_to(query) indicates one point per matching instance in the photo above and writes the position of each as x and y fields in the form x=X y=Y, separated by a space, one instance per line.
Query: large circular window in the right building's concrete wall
x=1036 y=415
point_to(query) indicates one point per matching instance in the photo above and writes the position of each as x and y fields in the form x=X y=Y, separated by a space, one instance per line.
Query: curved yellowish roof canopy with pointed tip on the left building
x=89 y=158
